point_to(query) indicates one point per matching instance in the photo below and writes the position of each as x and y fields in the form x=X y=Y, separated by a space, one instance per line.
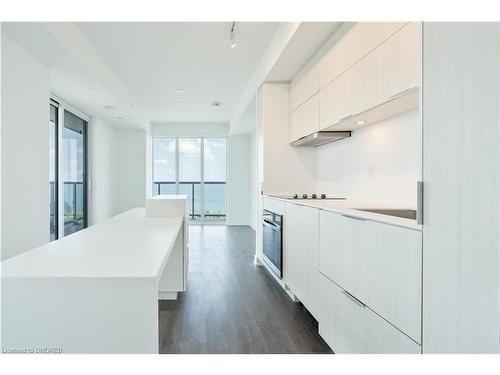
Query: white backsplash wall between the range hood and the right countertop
x=379 y=163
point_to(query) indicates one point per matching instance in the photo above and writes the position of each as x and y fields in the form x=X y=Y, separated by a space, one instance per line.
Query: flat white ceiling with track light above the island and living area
x=137 y=67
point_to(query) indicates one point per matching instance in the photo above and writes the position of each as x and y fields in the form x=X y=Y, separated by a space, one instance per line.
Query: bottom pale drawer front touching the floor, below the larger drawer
x=349 y=327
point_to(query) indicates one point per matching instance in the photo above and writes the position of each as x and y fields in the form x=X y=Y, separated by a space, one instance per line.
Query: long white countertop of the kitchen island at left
x=129 y=245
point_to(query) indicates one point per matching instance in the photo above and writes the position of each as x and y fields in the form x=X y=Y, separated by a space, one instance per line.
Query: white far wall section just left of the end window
x=131 y=169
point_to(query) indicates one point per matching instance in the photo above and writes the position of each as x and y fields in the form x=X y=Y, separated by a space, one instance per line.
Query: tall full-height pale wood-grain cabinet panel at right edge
x=461 y=143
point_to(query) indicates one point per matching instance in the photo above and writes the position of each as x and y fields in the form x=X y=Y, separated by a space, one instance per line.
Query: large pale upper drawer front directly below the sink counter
x=379 y=264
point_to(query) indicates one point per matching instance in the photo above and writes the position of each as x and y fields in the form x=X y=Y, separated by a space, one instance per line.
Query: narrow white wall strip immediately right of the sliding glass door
x=103 y=171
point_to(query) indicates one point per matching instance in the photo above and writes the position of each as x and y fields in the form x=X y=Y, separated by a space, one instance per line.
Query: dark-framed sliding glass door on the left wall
x=68 y=132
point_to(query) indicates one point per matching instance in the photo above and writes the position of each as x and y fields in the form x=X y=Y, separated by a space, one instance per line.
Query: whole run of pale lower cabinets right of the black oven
x=360 y=279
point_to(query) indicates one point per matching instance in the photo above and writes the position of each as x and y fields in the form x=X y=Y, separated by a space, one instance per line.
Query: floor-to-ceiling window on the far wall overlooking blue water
x=196 y=167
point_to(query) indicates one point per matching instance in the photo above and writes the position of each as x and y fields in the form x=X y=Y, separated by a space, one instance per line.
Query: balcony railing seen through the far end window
x=214 y=197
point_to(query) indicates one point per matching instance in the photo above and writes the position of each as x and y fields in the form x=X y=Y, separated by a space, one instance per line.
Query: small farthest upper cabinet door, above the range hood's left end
x=305 y=119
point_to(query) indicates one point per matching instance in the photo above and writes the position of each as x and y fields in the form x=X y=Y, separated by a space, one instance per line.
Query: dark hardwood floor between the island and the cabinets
x=231 y=306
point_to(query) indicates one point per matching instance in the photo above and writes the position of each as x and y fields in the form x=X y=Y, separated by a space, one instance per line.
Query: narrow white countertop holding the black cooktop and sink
x=349 y=207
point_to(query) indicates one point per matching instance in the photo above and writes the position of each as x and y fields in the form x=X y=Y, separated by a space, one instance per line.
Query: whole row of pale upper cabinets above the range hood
x=371 y=74
